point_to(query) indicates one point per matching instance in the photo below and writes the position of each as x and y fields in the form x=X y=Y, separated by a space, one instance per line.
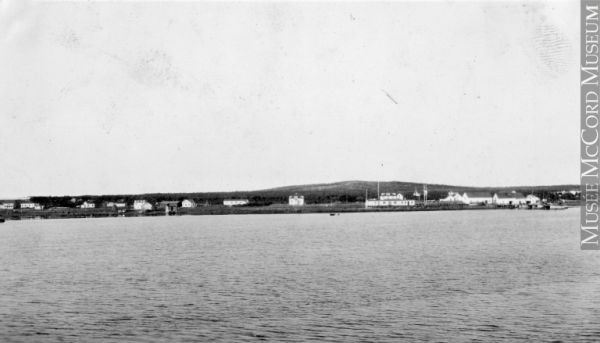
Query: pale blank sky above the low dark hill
x=115 y=98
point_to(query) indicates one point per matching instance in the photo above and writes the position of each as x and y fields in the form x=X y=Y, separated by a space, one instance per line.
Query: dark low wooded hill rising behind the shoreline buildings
x=344 y=191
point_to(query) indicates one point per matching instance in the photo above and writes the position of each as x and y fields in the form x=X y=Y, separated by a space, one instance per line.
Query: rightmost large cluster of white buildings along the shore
x=487 y=198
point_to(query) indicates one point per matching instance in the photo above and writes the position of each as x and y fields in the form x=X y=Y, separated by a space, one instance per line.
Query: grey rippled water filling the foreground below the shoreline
x=437 y=276
